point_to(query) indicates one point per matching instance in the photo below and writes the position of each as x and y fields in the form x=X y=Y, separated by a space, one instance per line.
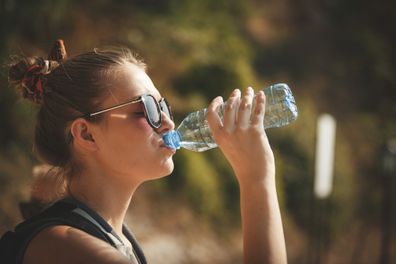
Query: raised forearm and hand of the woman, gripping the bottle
x=242 y=138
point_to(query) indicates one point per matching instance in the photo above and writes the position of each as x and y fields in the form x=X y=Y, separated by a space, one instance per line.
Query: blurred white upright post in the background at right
x=325 y=143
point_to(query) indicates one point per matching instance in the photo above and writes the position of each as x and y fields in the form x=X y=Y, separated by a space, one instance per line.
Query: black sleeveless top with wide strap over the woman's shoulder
x=70 y=212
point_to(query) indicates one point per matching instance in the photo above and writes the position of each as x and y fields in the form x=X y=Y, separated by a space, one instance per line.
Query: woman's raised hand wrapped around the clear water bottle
x=241 y=135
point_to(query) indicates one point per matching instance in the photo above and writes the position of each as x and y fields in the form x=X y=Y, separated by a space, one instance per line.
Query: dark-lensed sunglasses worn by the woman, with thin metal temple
x=152 y=109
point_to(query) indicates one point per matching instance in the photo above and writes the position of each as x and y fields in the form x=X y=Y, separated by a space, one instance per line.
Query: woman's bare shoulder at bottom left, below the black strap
x=65 y=244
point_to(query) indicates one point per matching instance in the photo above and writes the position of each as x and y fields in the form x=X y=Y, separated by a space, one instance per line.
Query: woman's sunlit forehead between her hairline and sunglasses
x=132 y=82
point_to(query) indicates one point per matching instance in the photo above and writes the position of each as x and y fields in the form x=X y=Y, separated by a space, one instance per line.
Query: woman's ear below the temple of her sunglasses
x=82 y=132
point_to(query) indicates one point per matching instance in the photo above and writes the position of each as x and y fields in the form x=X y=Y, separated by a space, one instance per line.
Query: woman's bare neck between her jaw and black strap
x=104 y=194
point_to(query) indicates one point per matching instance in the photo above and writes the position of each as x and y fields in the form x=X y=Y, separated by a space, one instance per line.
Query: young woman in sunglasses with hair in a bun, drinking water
x=100 y=123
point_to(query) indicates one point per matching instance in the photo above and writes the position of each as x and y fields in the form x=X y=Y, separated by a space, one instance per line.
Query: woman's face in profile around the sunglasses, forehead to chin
x=128 y=146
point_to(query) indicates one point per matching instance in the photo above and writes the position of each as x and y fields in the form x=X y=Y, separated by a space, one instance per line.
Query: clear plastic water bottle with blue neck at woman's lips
x=194 y=133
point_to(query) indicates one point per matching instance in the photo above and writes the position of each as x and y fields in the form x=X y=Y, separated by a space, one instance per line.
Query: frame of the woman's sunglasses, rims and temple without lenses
x=143 y=99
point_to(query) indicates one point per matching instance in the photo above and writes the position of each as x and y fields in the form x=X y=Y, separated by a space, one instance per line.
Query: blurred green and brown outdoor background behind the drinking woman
x=337 y=56
